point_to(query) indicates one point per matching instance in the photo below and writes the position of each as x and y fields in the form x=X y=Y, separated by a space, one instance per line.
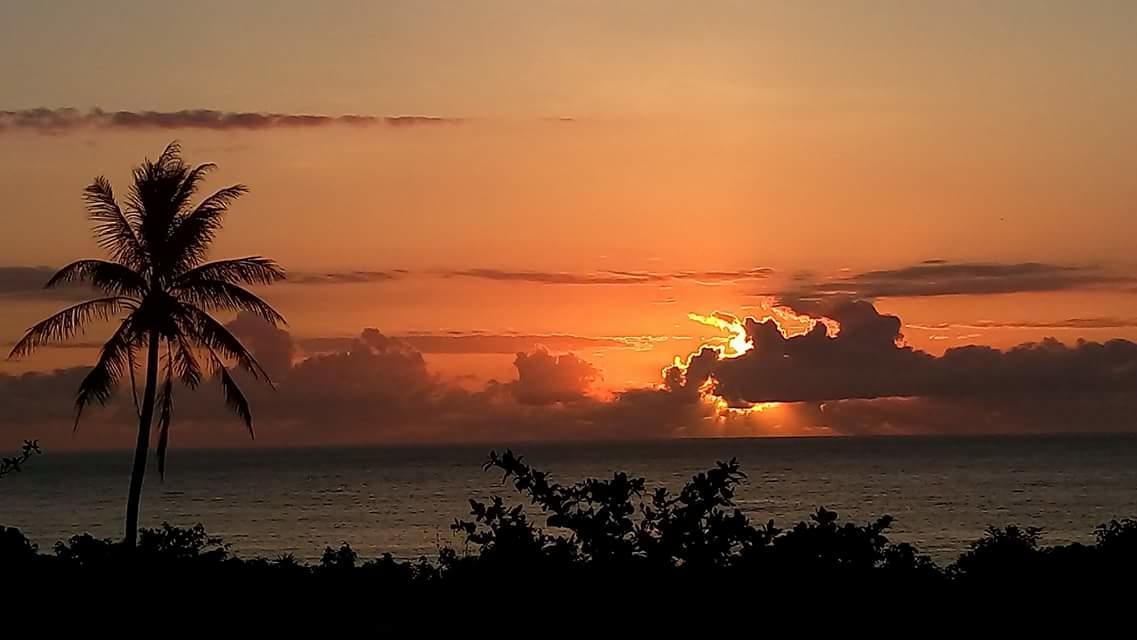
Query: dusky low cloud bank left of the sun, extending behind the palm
x=377 y=389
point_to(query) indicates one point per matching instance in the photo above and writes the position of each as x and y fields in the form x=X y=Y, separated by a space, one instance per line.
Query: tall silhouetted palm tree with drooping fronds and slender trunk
x=161 y=289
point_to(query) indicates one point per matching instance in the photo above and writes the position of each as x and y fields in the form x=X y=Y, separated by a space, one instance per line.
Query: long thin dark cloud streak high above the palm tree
x=65 y=120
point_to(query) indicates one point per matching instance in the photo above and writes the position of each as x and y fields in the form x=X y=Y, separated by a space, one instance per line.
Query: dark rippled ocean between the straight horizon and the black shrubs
x=943 y=492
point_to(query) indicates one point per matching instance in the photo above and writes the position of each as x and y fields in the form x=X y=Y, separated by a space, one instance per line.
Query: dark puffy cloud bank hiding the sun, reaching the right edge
x=867 y=381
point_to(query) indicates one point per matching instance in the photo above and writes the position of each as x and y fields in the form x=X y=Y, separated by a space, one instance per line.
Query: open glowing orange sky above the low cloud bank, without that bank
x=821 y=144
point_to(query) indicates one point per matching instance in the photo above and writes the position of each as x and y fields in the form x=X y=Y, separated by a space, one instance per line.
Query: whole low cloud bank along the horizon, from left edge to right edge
x=864 y=381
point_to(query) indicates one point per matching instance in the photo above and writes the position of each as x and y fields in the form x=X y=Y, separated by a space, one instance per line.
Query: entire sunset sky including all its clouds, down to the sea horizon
x=583 y=176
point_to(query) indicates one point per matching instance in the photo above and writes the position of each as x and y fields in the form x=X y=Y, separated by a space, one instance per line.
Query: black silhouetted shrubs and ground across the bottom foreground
x=611 y=555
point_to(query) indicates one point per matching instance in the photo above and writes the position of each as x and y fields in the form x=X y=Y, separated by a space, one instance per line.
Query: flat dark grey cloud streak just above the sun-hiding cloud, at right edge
x=941 y=278
